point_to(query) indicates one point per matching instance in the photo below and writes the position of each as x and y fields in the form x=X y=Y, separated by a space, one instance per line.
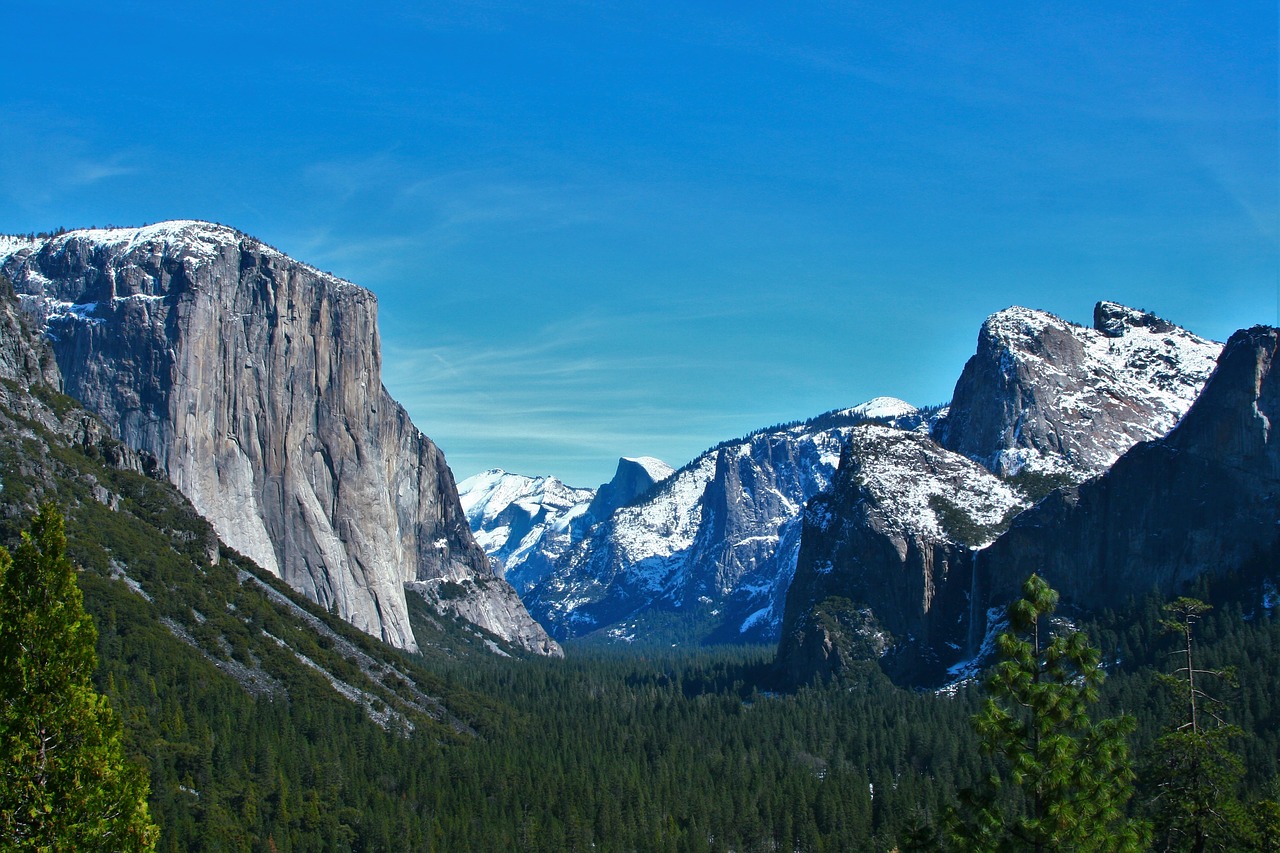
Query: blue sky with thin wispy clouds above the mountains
x=605 y=230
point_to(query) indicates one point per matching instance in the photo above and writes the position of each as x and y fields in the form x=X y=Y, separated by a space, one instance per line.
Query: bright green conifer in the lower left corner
x=65 y=783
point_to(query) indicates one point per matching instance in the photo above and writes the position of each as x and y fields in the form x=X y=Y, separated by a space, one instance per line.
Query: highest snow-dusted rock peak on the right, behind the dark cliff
x=1049 y=396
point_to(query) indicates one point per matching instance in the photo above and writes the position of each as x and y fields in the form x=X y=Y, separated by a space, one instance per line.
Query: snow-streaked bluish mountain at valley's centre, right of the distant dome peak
x=707 y=554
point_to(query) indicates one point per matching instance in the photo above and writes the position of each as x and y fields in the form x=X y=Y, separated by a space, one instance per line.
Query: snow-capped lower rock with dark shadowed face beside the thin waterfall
x=888 y=549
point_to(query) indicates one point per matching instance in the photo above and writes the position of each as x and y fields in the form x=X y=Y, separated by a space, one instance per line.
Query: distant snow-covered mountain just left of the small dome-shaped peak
x=523 y=523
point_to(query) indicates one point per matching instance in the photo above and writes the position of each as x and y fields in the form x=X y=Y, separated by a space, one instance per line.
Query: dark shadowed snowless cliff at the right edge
x=1204 y=500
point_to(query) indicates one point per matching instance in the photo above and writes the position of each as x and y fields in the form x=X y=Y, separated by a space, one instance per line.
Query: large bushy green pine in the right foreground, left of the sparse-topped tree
x=1066 y=779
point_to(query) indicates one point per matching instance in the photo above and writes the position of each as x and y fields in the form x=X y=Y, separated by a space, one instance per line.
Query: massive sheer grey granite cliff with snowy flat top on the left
x=257 y=384
